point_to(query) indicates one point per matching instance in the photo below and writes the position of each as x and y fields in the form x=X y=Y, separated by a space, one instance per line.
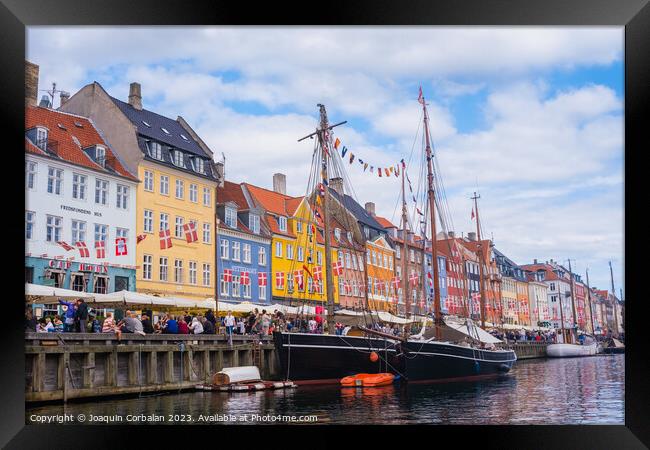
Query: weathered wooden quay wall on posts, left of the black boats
x=64 y=366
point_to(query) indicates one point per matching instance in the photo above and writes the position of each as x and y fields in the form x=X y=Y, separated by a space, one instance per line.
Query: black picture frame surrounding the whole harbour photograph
x=634 y=15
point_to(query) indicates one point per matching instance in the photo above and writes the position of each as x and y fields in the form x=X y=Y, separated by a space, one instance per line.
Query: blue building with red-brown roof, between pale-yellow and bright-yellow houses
x=244 y=248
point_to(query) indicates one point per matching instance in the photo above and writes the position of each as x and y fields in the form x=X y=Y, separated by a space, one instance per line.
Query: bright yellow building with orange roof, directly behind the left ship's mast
x=297 y=246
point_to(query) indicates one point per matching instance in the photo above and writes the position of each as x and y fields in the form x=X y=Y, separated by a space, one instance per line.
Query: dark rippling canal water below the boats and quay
x=587 y=390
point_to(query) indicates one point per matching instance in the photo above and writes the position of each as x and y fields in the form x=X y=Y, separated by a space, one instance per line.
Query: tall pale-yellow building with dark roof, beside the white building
x=178 y=179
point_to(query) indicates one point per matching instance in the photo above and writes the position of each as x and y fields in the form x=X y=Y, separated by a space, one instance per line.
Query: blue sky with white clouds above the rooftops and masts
x=532 y=117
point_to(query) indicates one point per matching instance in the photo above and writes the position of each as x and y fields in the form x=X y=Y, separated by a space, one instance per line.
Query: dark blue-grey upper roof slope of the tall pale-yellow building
x=154 y=131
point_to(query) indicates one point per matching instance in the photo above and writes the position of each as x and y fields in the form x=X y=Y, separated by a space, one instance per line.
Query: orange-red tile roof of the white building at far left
x=75 y=126
